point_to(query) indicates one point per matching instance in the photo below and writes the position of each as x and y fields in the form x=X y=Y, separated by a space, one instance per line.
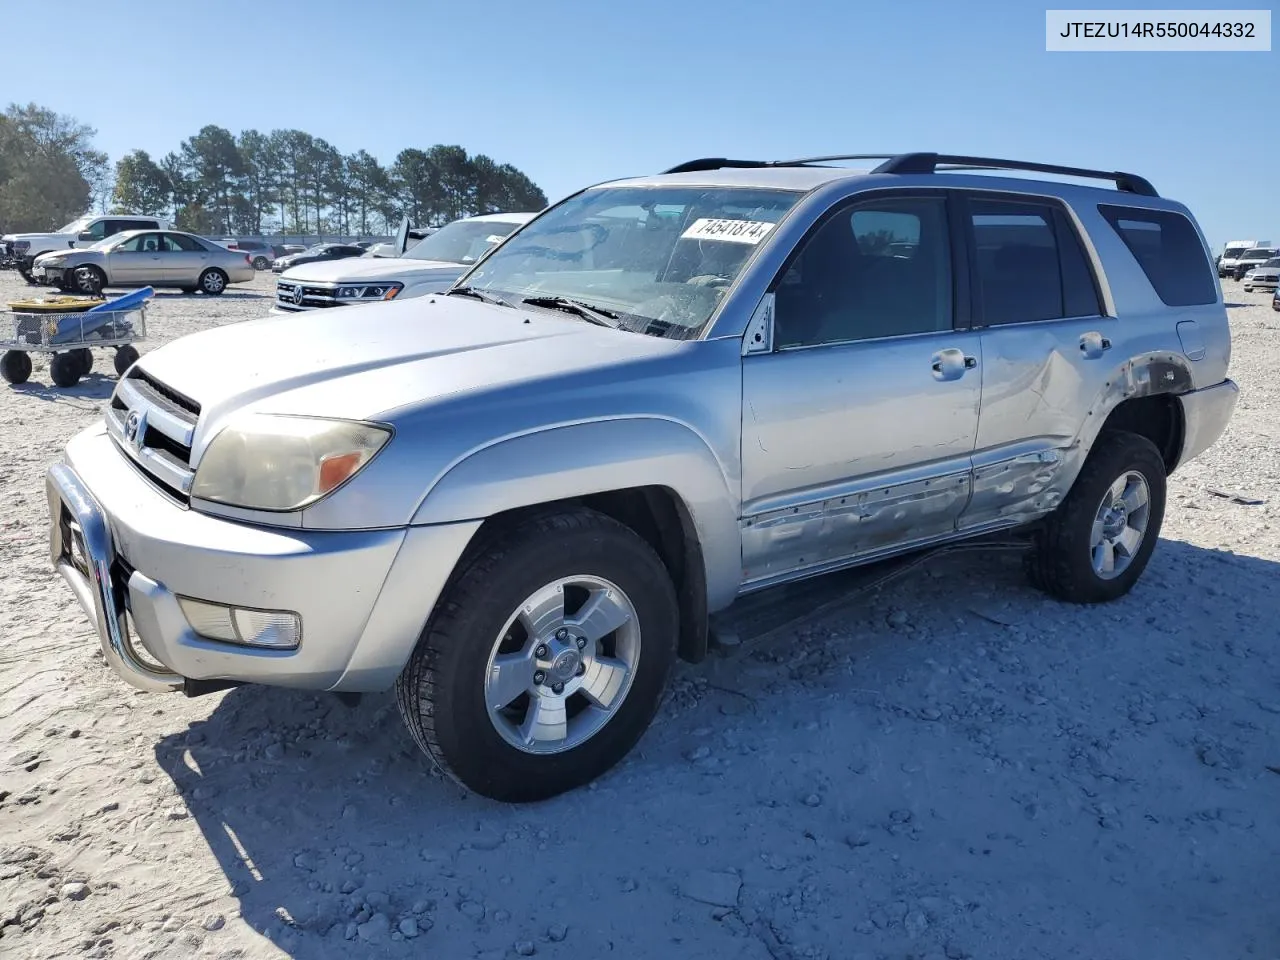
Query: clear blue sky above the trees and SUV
x=574 y=93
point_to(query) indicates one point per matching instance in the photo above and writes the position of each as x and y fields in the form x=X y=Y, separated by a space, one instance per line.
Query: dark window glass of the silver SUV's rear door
x=1030 y=263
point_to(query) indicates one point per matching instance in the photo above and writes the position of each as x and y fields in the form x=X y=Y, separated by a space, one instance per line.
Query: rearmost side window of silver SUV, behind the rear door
x=1169 y=252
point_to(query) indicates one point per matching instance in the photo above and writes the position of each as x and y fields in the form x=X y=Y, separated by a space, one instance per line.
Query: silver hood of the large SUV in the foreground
x=381 y=362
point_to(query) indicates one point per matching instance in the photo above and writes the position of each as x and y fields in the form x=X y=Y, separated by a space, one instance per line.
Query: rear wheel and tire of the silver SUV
x=1064 y=561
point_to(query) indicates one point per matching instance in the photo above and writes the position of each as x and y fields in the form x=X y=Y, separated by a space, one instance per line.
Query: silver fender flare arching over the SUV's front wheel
x=577 y=460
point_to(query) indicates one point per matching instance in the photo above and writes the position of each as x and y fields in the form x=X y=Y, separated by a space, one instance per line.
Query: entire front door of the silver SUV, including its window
x=860 y=424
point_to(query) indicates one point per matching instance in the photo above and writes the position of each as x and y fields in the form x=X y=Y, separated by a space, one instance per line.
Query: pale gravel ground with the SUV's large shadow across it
x=954 y=767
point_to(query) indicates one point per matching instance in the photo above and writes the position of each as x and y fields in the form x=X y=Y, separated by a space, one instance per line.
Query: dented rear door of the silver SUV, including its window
x=1046 y=346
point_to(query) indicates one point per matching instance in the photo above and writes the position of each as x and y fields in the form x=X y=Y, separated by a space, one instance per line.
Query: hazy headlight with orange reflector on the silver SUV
x=284 y=463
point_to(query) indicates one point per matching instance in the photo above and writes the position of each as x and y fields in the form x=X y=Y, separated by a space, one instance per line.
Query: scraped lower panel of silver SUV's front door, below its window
x=853 y=449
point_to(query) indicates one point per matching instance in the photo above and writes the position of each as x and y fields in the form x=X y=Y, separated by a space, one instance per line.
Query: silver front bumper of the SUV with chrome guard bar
x=129 y=552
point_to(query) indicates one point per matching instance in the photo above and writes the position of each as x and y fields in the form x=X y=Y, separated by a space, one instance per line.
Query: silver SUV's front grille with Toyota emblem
x=154 y=426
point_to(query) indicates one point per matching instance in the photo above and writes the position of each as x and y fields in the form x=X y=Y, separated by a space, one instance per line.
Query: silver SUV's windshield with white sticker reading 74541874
x=661 y=258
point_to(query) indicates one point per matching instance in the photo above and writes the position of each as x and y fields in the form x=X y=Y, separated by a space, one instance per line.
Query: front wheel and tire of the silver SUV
x=445 y=689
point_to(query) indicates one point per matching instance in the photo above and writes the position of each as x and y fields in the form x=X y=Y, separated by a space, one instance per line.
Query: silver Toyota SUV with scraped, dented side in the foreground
x=520 y=501
